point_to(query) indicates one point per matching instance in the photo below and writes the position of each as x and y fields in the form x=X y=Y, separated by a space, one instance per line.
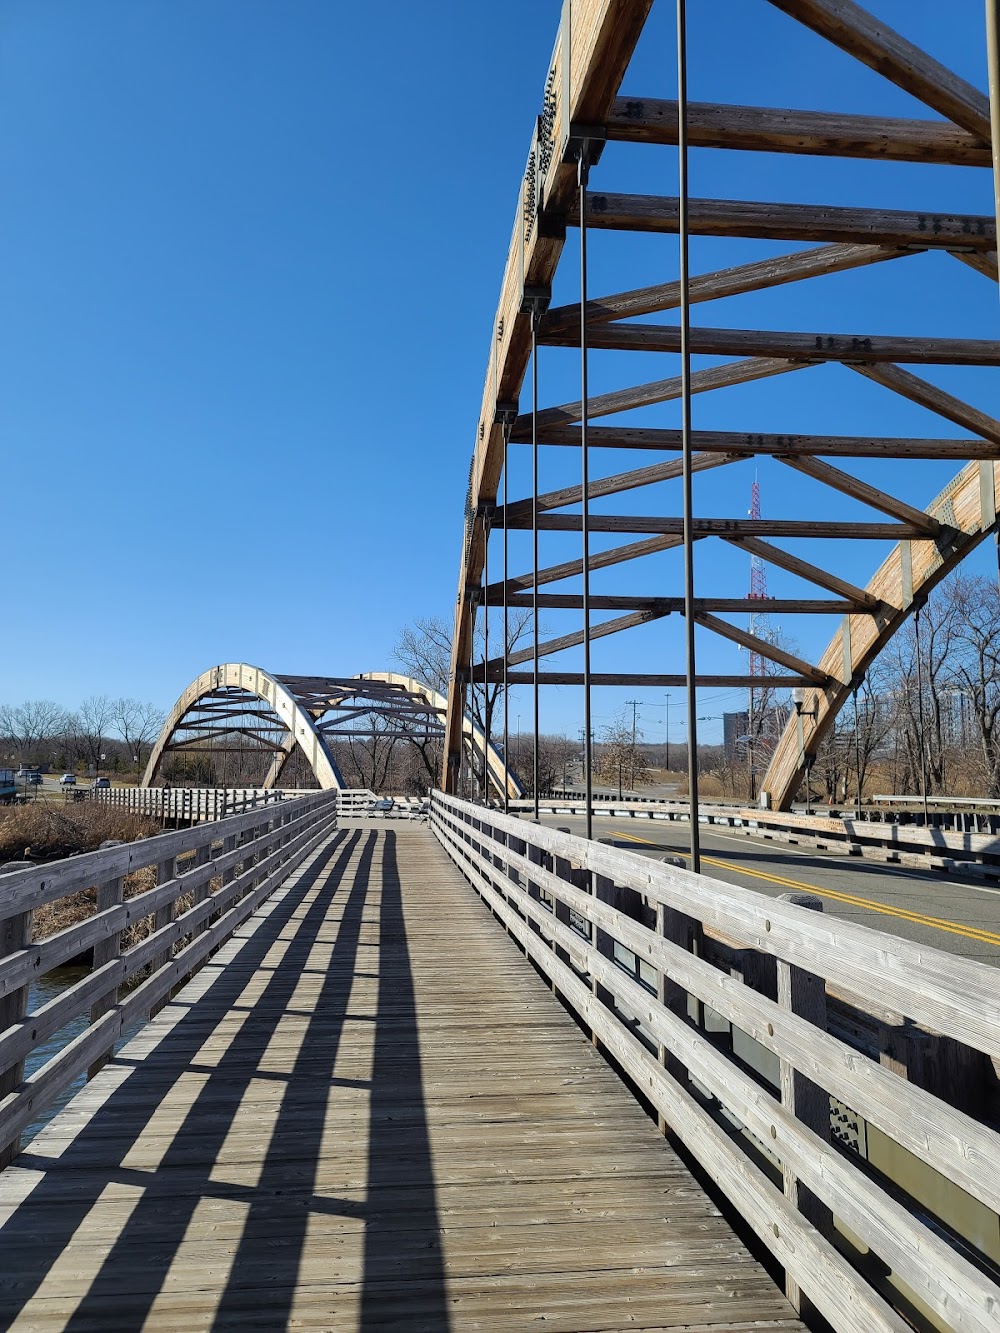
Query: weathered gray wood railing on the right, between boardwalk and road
x=622 y=940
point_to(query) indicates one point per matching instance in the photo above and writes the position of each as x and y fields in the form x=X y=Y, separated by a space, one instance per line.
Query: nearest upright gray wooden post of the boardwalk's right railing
x=805 y=995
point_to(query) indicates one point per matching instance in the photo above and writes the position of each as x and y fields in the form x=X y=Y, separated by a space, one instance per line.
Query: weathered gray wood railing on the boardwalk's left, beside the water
x=209 y=879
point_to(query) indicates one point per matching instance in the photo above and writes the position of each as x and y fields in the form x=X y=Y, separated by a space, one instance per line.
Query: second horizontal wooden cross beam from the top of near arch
x=781 y=222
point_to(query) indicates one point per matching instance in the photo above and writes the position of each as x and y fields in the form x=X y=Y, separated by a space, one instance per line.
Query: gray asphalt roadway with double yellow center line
x=947 y=911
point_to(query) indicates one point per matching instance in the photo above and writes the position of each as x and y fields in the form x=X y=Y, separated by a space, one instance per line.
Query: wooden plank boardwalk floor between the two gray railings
x=369 y=1112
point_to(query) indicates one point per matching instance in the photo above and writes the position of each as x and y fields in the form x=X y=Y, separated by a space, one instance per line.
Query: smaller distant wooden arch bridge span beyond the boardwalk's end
x=239 y=704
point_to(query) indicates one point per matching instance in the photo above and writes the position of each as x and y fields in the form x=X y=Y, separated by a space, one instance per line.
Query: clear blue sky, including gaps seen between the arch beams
x=250 y=255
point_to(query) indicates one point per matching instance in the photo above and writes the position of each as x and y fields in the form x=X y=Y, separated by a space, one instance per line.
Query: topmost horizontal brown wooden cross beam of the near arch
x=773 y=130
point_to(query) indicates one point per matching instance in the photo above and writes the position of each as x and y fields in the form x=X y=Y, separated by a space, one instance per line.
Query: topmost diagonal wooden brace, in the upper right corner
x=875 y=45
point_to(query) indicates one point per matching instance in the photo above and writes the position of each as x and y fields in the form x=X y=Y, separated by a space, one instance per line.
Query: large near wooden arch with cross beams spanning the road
x=593 y=105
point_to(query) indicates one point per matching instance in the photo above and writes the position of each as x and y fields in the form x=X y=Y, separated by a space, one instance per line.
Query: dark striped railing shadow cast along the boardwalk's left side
x=123 y=1227
